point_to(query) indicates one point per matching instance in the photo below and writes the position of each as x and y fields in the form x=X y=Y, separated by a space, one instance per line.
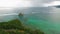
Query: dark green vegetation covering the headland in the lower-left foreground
x=16 y=27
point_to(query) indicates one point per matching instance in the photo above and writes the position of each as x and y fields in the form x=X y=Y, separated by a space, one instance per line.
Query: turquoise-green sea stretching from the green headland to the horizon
x=46 y=19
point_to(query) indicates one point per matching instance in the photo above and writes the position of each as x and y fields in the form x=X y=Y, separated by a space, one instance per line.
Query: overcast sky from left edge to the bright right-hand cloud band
x=23 y=3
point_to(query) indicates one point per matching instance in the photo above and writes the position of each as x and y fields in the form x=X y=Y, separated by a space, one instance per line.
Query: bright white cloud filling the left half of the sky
x=14 y=3
